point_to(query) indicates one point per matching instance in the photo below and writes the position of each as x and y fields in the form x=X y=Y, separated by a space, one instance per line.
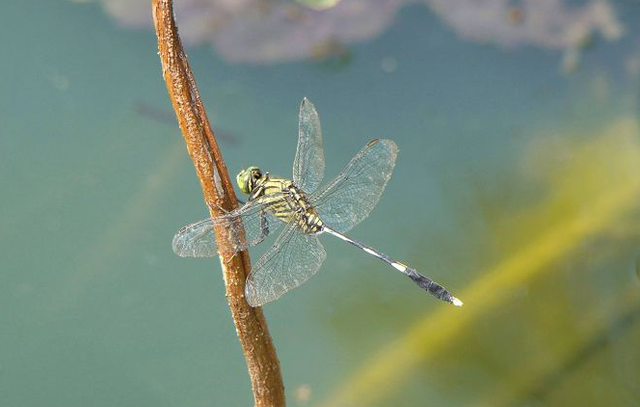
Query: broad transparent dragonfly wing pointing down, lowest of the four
x=291 y=261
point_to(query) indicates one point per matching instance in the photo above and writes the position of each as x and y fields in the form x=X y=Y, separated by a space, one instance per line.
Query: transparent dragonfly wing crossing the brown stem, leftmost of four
x=199 y=240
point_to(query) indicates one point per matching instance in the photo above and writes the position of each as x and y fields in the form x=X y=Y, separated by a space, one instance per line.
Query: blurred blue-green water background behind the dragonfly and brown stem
x=517 y=187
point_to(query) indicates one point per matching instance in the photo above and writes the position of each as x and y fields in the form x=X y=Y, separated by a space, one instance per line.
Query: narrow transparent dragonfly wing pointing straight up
x=308 y=167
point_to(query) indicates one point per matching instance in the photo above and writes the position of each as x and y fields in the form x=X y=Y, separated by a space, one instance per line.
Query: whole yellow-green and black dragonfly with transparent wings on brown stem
x=303 y=212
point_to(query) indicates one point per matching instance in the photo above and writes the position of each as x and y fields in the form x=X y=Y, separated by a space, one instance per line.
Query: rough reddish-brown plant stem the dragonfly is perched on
x=259 y=352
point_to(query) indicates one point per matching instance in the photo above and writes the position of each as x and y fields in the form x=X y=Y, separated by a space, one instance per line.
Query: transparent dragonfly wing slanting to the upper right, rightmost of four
x=353 y=194
